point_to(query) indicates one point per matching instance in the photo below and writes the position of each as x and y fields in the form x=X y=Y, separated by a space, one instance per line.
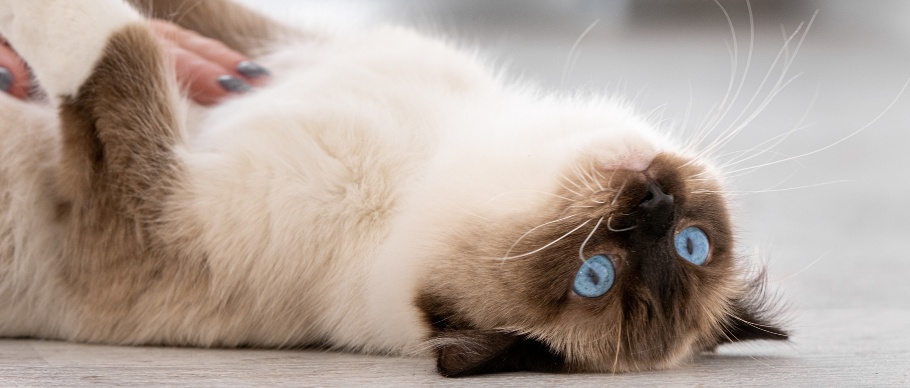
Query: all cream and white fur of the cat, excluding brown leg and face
x=319 y=203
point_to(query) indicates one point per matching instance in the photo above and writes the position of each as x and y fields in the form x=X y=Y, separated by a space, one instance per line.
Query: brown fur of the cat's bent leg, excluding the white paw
x=117 y=169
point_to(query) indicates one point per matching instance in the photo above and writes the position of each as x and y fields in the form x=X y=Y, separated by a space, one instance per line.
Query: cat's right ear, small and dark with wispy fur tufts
x=750 y=320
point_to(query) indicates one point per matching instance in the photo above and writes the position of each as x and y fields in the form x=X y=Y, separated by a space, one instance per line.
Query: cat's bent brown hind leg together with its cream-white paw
x=120 y=123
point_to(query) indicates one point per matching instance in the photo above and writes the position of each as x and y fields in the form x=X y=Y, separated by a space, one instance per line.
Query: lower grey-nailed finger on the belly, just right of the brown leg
x=207 y=83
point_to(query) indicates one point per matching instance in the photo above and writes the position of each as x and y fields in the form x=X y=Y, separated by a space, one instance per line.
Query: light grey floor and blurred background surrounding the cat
x=832 y=225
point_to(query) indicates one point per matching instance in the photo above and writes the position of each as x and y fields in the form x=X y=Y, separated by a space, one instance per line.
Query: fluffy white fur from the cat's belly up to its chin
x=372 y=148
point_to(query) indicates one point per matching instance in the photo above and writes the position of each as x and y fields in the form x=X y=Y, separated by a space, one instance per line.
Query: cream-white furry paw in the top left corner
x=61 y=40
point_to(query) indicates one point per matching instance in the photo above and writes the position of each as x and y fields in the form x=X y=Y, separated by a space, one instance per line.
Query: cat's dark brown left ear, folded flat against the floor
x=474 y=352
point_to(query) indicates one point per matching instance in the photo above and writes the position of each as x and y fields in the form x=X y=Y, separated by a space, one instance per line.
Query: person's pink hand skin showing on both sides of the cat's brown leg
x=199 y=62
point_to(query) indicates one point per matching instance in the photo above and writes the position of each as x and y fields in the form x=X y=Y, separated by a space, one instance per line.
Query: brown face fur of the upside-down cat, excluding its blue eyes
x=660 y=309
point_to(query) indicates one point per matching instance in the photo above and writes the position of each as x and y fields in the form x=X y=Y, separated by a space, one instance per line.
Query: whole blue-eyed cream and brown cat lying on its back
x=384 y=194
